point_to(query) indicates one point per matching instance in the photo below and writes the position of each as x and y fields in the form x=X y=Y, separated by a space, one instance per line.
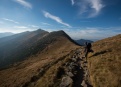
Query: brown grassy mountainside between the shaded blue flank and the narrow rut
x=23 y=72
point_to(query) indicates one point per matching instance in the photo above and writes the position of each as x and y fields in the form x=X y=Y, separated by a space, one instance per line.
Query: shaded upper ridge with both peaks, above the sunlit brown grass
x=20 y=46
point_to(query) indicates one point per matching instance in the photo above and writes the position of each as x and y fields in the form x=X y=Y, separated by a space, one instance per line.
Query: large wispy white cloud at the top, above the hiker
x=90 y=8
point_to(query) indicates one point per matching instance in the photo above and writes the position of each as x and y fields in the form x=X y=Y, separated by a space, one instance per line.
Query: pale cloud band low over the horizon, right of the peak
x=93 y=33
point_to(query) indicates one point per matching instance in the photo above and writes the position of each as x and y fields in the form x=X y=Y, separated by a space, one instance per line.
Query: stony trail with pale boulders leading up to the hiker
x=77 y=74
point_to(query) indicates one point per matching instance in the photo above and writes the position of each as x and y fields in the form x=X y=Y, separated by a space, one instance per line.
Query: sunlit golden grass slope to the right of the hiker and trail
x=105 y=63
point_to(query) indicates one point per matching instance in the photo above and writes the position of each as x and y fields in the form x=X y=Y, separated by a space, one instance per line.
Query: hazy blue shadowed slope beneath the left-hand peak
x=17 y=47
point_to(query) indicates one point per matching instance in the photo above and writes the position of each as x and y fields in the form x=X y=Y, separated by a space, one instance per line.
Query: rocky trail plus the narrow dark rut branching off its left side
x=74 y=71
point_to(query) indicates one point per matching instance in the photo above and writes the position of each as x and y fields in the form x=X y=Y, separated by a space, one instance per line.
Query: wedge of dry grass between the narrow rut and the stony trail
x=53 y=76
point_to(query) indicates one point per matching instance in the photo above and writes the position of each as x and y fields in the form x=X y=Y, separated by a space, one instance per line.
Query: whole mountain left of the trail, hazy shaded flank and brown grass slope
x=33 y=52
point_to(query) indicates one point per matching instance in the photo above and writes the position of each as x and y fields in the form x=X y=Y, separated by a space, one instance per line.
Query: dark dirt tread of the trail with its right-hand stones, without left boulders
x=81 y=79
